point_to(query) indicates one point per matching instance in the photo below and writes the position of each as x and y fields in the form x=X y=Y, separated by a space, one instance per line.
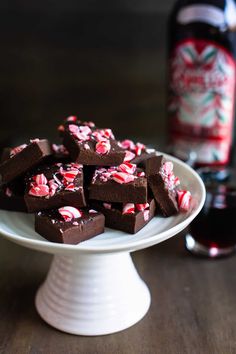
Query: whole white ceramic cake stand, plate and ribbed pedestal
x=93 y=288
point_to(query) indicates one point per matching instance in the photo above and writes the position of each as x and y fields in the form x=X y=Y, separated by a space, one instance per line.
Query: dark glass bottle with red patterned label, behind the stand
x=201 y=93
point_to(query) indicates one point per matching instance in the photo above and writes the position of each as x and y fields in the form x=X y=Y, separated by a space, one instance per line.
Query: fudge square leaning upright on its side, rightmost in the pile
x=163 y=183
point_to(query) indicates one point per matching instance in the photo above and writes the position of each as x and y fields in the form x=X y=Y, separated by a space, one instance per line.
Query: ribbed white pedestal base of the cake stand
x=93 y=294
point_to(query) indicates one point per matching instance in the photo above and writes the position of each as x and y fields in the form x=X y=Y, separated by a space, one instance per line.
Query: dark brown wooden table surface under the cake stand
x=192 y=310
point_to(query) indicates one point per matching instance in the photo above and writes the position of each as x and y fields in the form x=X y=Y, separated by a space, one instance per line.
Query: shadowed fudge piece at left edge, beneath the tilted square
x=12 y=196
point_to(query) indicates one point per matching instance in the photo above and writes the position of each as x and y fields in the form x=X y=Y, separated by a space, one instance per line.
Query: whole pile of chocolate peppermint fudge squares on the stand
x=88 y=181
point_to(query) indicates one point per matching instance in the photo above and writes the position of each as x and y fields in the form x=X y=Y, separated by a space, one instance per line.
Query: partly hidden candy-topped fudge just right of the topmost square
x=136 y=153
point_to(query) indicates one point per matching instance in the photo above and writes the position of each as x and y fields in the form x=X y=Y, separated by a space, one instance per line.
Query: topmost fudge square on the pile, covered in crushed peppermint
x=90 y=145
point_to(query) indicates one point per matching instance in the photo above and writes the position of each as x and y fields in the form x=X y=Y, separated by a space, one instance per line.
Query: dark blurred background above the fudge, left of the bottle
x=102 y=60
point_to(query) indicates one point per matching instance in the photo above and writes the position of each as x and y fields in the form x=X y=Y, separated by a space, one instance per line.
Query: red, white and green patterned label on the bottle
x=201 y=101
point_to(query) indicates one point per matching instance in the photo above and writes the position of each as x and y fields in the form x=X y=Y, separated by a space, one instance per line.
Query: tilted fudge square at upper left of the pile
x=22 y=158
